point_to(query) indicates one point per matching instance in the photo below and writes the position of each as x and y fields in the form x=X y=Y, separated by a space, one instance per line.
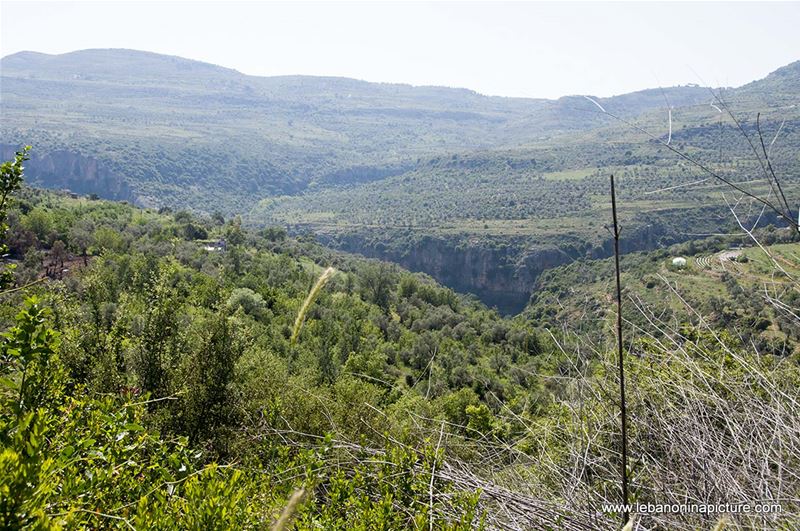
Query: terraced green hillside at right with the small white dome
x=723 y=282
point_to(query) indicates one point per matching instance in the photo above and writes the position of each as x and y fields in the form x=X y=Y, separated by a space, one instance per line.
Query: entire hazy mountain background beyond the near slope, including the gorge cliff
x=482 y=192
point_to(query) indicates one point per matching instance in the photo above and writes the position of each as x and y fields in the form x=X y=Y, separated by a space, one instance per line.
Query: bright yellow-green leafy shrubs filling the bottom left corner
x=75 y=461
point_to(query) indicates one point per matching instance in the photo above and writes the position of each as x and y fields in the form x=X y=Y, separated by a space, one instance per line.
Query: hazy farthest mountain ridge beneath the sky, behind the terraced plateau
x=176 y=131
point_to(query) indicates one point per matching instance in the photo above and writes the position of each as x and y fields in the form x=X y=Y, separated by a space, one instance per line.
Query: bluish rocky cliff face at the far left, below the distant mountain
x=68 y=170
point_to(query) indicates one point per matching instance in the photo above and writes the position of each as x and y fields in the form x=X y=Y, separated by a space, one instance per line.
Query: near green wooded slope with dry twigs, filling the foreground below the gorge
x=165 y=370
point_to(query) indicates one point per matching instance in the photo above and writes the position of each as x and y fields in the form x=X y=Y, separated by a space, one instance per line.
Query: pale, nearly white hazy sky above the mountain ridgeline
x=509 y=49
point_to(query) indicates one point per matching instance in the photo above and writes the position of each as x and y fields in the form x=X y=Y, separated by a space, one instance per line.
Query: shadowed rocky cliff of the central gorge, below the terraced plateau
x=502 y=271
